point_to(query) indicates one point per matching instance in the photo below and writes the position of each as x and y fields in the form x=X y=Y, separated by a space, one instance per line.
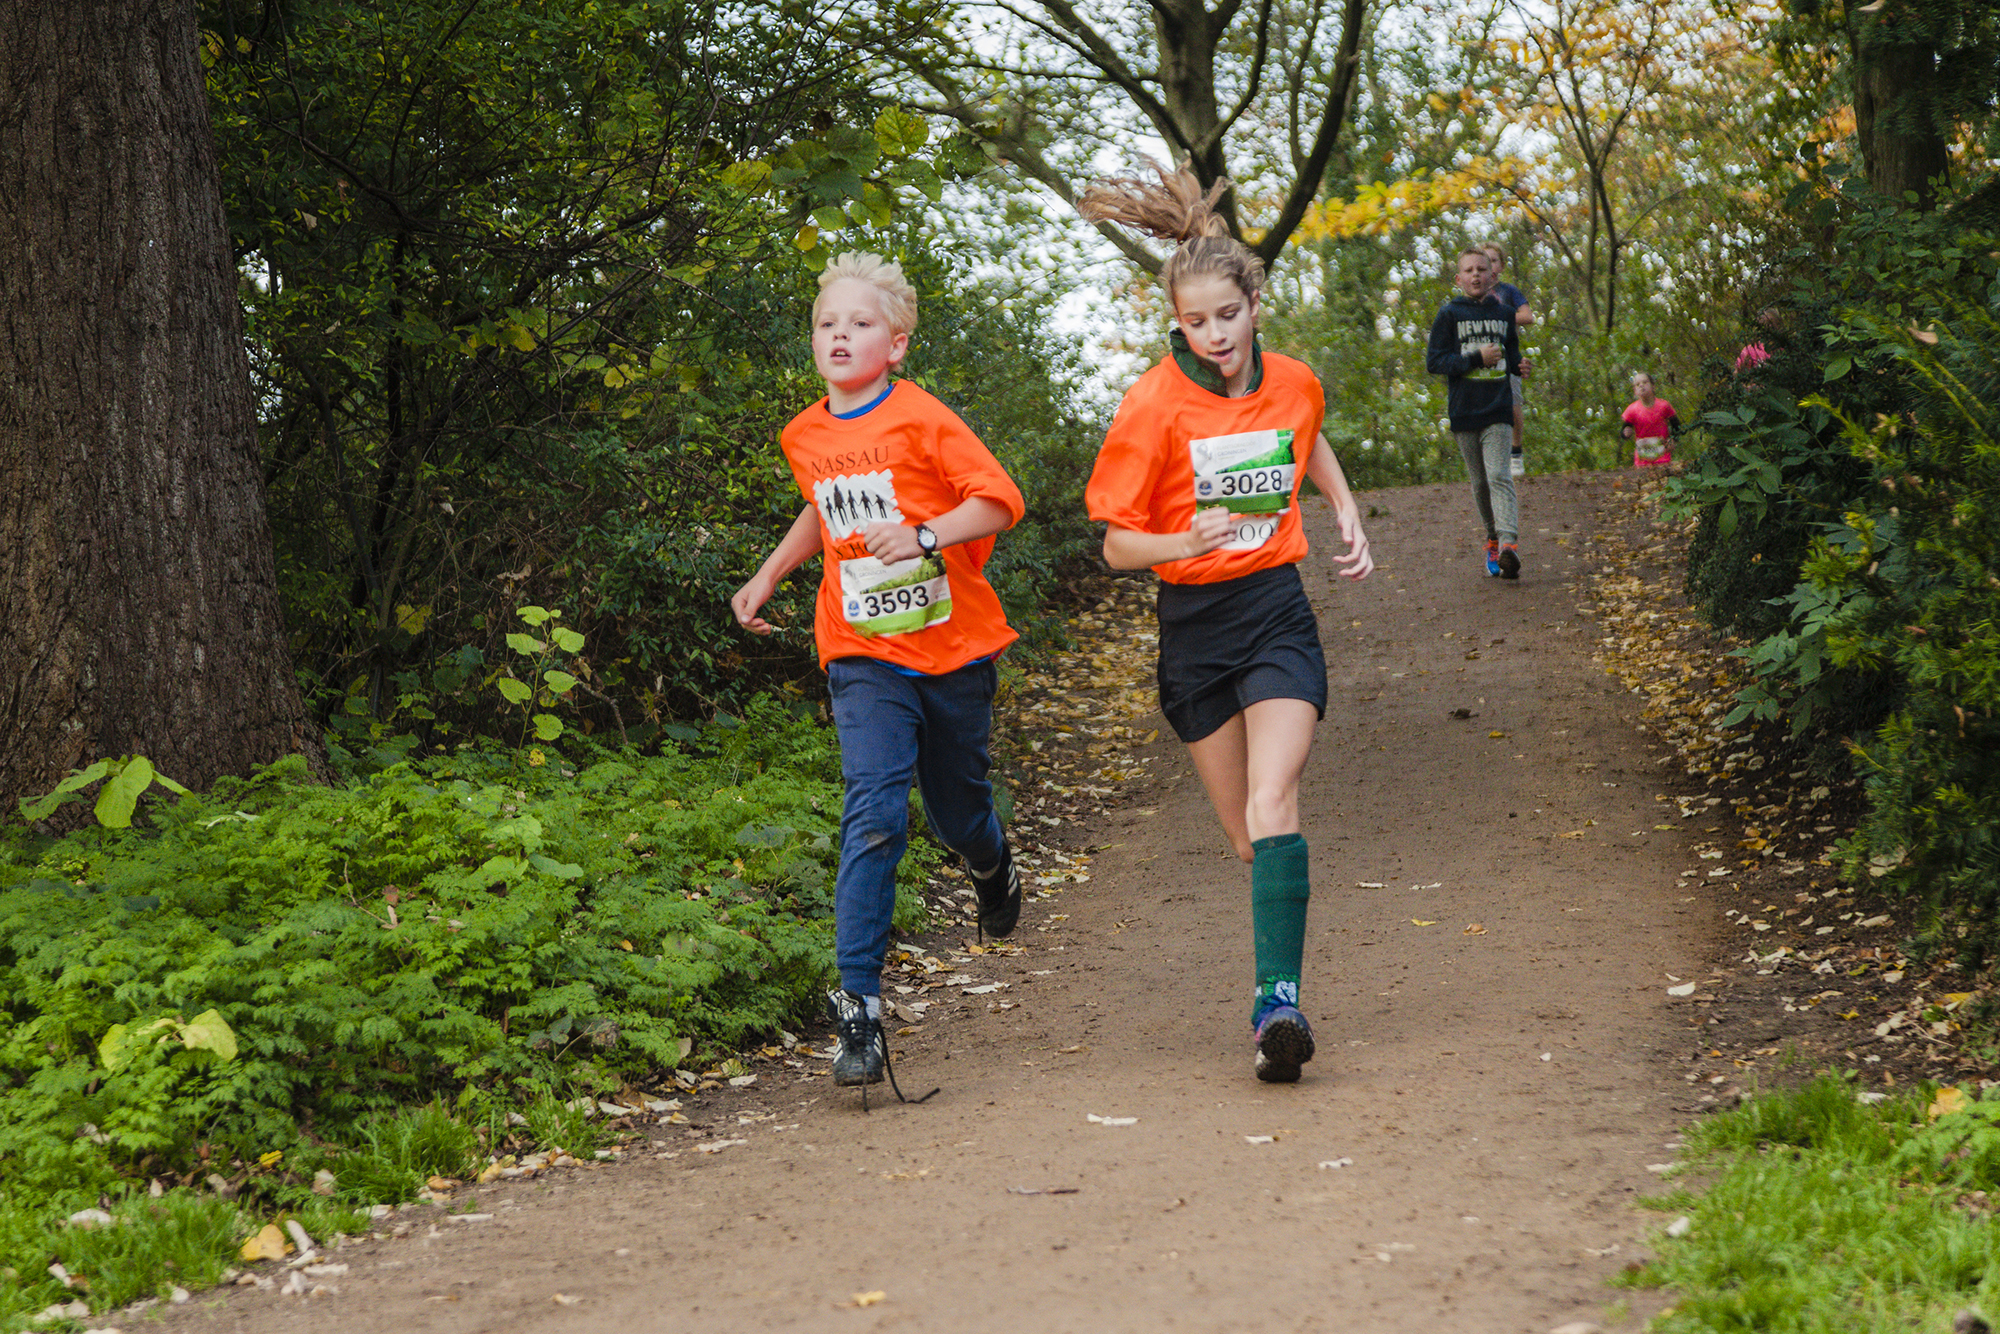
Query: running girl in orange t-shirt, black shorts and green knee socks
x=1199 y=479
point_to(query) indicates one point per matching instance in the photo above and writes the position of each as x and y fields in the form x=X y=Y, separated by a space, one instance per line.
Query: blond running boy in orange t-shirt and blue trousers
x=903 y=505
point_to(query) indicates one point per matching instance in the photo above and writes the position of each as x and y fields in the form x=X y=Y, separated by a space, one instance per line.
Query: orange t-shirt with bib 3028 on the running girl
x=1177 y=445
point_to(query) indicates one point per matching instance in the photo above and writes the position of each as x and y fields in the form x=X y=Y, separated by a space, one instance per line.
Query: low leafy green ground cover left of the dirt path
x=387 y=981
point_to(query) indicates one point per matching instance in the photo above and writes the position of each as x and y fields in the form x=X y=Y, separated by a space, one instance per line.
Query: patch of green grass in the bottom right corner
x=1825 y=1215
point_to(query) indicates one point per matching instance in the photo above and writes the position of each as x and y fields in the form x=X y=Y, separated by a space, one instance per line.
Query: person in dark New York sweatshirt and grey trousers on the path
x=1475 y=347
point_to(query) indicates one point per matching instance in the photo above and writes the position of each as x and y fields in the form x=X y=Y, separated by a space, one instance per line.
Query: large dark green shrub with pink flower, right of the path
x=1847 y=523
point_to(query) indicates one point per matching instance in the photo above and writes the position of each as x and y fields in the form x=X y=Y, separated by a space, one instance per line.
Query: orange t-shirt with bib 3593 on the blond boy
x=907 y=461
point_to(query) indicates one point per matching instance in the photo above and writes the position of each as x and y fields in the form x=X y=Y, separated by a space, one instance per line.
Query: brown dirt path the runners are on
x=1495 y=925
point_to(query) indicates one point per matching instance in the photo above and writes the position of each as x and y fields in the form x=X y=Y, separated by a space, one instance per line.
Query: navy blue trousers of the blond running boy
x=897 y=729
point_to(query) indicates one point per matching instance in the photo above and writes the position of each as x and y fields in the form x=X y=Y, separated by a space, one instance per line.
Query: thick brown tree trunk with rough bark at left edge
x=137 y=583
